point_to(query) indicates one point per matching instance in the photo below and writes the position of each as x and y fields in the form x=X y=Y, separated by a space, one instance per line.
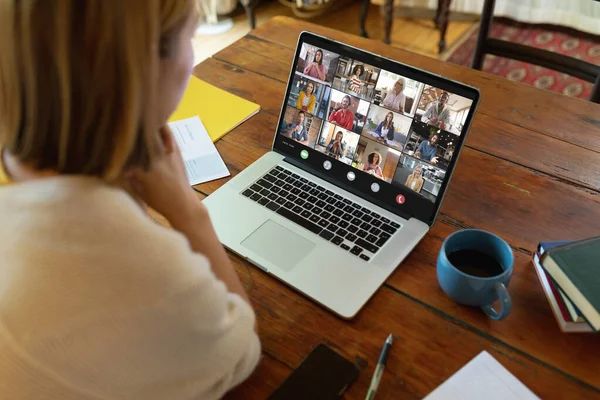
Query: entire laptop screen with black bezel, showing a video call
x=384 y=129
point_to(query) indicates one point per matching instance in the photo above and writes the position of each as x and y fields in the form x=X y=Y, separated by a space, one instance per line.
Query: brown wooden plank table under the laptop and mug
x=530 y=171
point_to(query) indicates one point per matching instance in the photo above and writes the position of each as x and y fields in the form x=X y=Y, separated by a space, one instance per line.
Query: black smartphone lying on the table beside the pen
x=323 y=375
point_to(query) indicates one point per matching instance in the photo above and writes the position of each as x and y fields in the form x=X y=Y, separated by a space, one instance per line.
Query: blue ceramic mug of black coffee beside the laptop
x=473 y=289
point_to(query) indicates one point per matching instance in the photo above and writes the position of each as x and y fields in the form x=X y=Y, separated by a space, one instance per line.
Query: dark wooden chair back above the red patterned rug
x=558 y=62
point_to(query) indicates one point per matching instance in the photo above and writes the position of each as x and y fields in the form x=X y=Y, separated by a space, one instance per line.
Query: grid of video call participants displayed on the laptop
x=397 y=129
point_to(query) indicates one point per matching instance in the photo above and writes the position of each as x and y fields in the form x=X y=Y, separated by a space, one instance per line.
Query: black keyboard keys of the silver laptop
x=334 y=218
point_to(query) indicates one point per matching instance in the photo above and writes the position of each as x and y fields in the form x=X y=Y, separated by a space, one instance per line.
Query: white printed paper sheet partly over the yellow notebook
x=203 y=162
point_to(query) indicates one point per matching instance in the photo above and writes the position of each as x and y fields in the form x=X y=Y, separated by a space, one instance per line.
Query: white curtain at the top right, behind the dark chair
x=583 y=15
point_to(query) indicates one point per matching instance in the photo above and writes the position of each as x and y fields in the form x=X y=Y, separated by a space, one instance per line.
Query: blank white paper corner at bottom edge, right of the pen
x=482 y=378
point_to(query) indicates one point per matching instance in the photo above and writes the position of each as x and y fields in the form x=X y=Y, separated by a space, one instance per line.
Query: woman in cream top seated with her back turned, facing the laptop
x=96 y=299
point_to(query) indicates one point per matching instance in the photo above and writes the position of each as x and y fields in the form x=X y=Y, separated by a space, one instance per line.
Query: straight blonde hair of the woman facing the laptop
x=78 y=81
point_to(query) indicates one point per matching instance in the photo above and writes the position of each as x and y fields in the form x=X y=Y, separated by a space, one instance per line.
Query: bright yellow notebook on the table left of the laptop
x=220 y=111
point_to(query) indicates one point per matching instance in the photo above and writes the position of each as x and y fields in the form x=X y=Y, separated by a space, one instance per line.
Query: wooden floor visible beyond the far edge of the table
x=415 y=34
